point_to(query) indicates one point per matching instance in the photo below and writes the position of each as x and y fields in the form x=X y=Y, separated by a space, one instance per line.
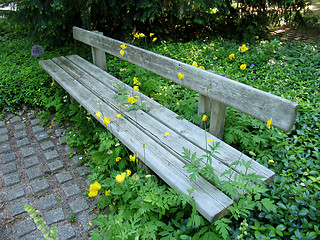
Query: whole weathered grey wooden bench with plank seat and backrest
x=89 y=84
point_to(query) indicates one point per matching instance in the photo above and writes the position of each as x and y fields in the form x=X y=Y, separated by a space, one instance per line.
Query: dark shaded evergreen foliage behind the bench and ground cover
x=52 y=20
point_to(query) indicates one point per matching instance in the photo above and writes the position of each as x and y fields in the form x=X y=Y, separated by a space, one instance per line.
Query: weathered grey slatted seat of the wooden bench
x=88 y=85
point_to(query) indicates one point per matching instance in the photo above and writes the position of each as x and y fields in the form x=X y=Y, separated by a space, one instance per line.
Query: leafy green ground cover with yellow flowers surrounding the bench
x=141 y=205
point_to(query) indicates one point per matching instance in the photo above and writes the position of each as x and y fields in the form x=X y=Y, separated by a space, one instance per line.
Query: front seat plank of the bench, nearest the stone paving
x=210 y=202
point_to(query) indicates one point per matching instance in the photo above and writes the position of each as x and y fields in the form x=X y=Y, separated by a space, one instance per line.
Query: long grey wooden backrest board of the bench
x=252 y=101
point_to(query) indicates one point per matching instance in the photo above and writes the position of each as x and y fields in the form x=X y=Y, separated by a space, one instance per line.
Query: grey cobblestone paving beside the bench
x=35 y=169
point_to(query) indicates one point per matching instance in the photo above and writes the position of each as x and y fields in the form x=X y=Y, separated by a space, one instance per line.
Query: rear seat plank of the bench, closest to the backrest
x=227 y=155
